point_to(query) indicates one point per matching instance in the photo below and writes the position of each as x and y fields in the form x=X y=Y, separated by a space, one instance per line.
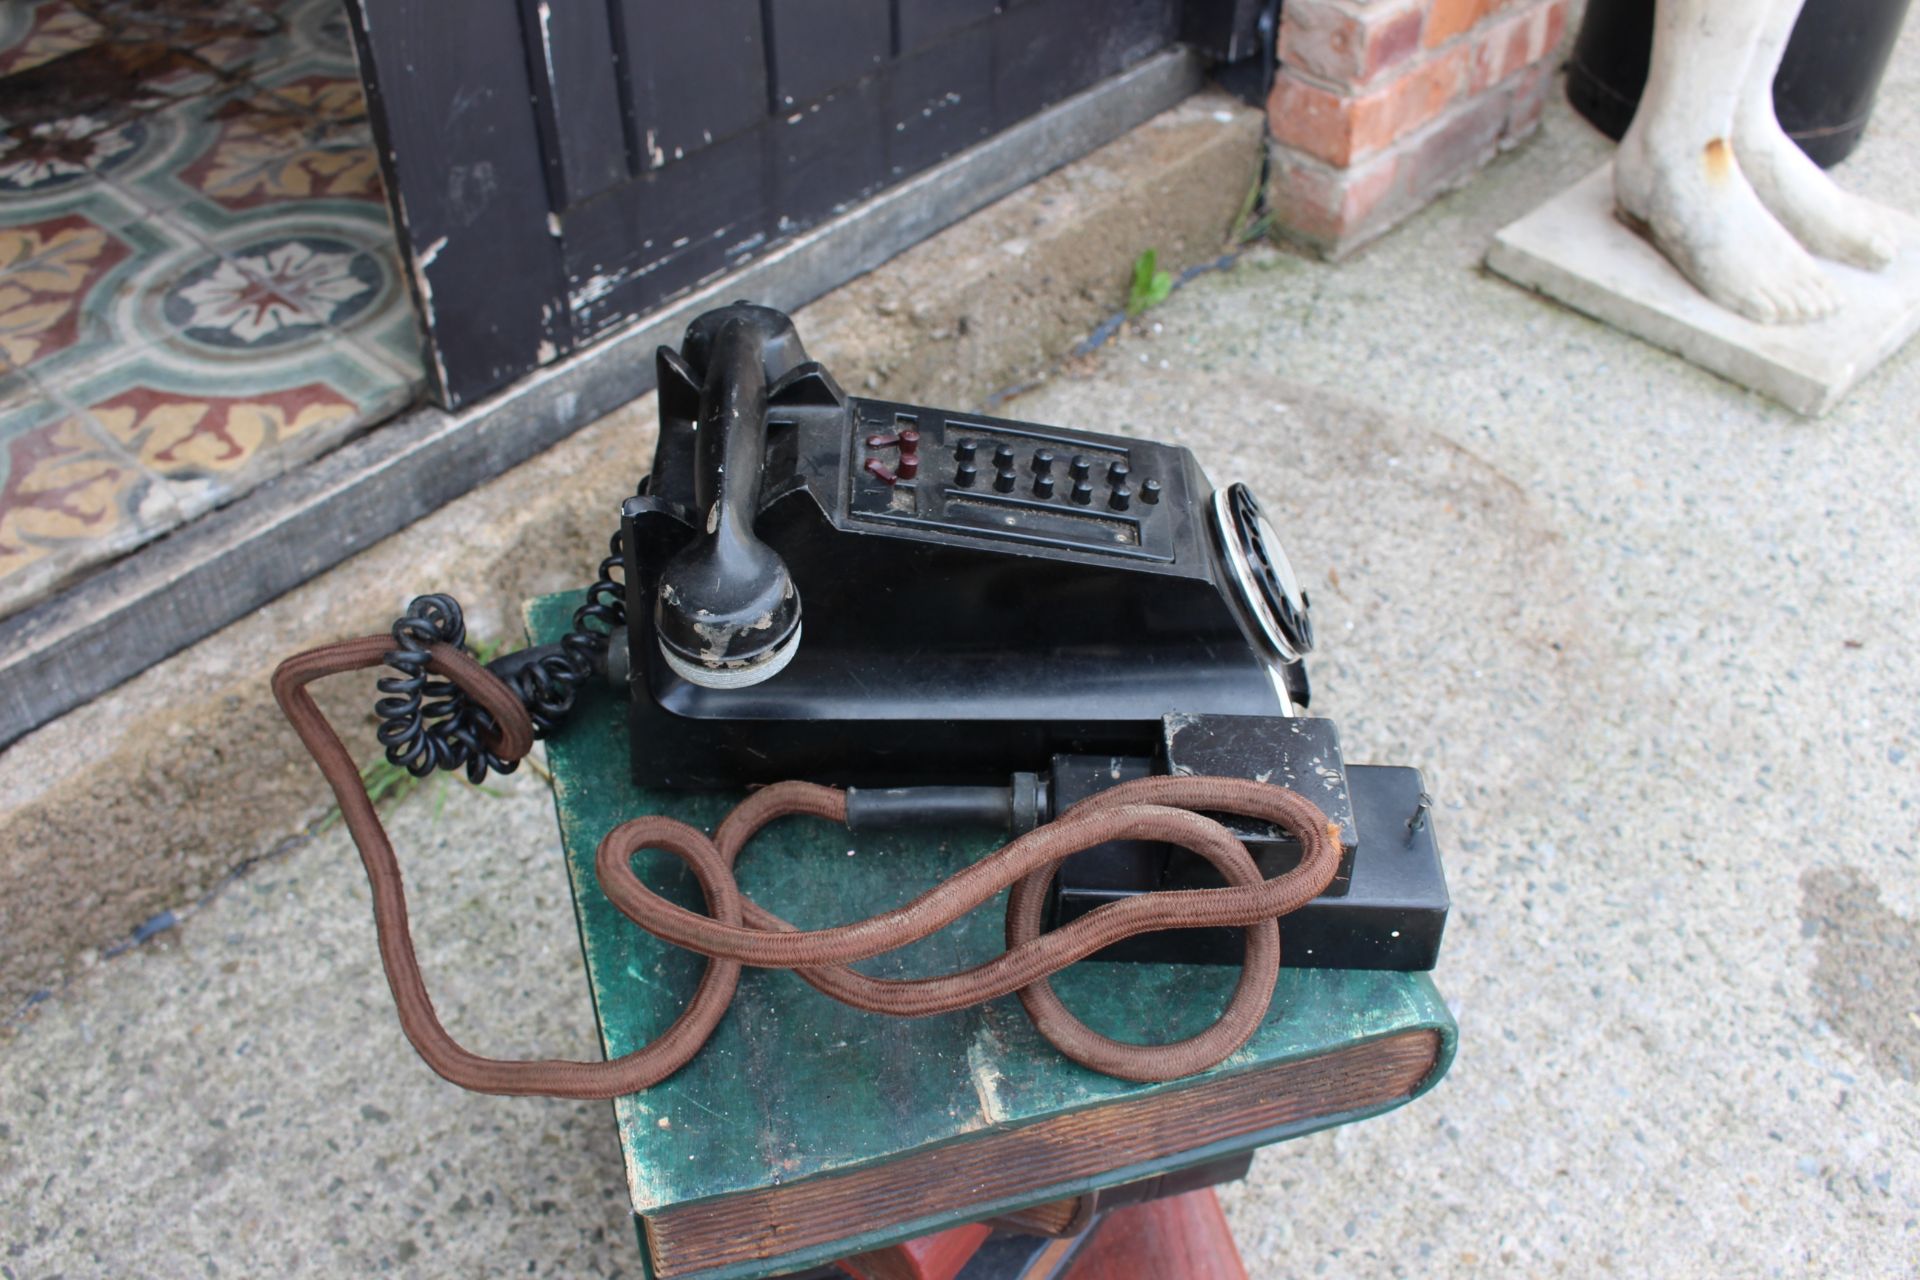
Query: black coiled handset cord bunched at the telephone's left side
x=429 y=724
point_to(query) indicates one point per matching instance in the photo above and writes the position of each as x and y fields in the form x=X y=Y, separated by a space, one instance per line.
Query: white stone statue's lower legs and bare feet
x=1708 y=174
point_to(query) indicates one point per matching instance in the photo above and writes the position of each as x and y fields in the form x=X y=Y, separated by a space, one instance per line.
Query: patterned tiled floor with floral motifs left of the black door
x=199 y=285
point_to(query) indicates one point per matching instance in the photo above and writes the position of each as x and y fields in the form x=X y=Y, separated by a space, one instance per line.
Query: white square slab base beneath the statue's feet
x=1579 y=252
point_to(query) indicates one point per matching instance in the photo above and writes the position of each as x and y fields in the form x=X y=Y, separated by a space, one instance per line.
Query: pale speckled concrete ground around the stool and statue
x=1650 y=636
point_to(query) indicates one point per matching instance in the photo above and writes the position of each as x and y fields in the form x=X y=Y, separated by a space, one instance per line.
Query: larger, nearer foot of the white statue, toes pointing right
x=1696 y=206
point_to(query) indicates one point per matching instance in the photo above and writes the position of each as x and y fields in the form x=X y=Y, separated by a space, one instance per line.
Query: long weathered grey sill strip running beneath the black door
x=197 y=581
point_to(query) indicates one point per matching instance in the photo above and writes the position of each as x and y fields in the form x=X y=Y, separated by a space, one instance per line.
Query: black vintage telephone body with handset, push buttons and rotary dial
x=976 y=592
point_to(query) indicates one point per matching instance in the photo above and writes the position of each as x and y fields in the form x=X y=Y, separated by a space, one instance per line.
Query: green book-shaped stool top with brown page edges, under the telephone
x=809 y=1131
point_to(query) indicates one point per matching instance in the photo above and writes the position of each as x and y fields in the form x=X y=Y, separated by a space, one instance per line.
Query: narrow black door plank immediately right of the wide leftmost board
x=577 y=97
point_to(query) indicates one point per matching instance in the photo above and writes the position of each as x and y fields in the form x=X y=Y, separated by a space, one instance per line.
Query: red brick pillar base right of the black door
x=1383 y=105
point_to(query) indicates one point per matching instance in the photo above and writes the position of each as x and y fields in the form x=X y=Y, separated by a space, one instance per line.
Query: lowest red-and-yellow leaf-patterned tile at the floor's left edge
x=68 y=500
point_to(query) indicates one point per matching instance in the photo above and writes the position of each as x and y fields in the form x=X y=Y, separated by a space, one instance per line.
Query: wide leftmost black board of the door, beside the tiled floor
x=462 y=160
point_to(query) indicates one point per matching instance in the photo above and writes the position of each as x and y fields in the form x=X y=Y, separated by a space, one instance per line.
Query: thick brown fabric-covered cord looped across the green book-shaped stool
x=738 y=932
